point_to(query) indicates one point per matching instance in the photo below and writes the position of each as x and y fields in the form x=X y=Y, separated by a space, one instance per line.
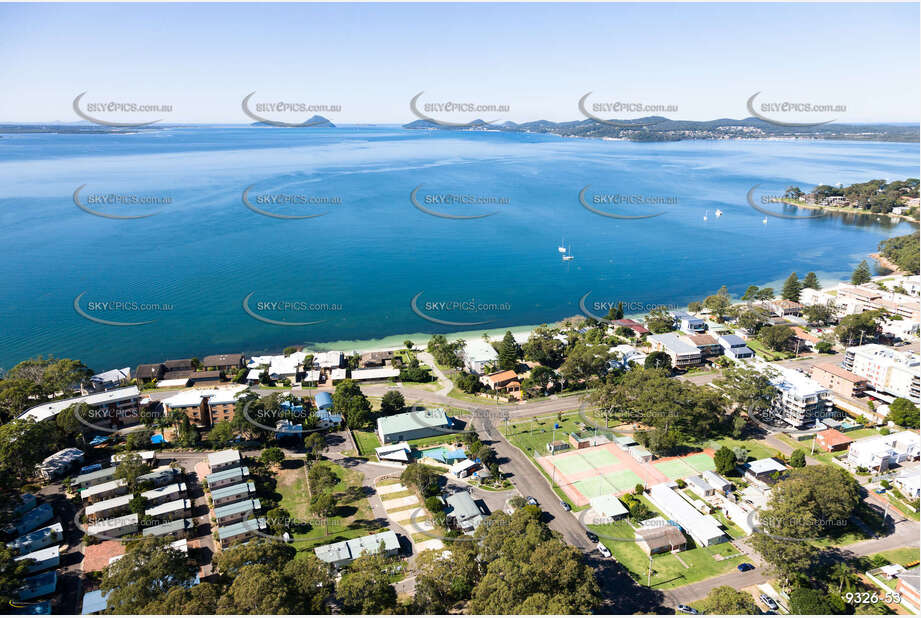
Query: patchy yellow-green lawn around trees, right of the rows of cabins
x=353 y=517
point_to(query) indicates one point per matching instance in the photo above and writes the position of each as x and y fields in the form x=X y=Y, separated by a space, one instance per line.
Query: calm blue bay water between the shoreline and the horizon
x=354 y=270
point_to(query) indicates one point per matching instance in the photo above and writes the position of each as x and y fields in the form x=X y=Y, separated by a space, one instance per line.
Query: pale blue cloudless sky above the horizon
x=706 y=60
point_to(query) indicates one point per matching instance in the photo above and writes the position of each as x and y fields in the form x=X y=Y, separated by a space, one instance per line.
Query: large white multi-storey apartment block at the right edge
x=889 y=372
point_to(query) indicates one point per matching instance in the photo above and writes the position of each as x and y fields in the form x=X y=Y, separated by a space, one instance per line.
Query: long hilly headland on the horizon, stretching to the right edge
x=661 y=129
